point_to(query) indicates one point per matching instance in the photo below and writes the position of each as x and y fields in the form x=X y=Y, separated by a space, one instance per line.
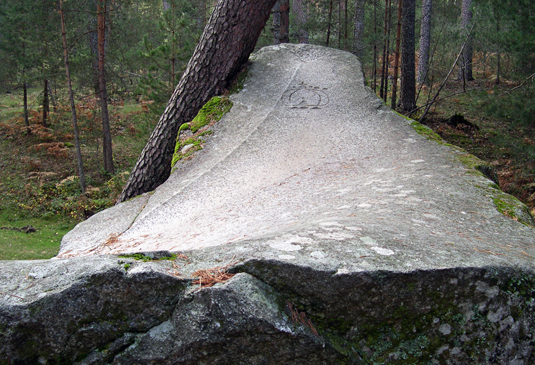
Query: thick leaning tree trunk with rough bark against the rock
x=227 y=41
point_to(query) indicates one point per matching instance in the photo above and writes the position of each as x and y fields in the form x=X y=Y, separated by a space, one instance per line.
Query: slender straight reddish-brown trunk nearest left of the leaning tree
x=106 y=134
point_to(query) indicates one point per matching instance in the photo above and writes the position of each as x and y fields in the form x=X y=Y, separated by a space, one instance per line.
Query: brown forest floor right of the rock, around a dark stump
x=508 y=146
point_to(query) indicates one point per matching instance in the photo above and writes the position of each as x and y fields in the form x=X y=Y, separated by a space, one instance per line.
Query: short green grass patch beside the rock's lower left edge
x=42 y=244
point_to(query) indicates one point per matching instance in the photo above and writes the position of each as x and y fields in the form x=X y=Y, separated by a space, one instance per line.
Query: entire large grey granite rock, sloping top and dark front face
x=354 y=239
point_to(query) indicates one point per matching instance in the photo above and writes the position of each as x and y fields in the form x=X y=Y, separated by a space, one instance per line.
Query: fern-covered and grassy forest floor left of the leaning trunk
x=39 y=186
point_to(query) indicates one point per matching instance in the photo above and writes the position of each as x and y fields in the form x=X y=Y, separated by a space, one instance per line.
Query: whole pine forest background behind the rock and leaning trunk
x=465 y=68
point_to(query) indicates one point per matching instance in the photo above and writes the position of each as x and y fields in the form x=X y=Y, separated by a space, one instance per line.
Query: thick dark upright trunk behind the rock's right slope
x=408 y=77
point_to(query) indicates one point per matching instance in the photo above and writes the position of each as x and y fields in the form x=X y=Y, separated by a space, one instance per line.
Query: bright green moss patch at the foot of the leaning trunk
x=209 y=114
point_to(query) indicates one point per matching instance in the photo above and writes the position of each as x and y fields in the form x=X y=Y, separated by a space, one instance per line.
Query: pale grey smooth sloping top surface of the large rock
x=310 y=167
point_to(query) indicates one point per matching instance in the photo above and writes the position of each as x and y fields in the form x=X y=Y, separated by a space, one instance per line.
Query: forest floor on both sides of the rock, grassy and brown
x=39 y=188
